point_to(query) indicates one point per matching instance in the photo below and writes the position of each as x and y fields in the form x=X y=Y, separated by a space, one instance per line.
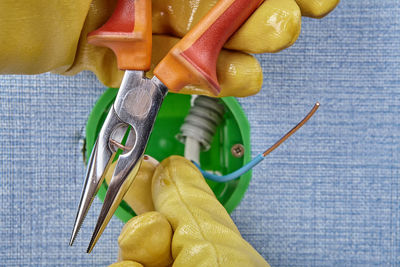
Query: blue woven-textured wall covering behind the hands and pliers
x=328 y=196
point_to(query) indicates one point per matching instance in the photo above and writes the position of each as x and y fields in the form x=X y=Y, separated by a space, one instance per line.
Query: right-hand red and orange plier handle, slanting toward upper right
x=193 y=60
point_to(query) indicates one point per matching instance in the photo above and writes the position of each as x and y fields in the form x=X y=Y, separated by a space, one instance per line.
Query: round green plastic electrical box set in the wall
x=222 y=157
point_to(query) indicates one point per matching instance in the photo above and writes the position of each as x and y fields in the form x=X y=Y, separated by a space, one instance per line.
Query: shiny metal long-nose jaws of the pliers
x=135 y=109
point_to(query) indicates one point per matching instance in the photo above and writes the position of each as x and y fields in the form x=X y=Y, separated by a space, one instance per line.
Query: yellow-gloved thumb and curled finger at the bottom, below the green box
x=203 y=232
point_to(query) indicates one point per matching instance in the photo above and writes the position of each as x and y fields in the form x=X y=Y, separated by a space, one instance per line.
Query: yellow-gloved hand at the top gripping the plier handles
x=51 y=36
